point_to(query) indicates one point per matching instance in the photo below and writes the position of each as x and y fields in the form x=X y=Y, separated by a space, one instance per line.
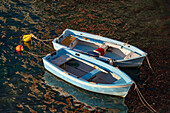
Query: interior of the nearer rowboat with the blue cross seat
x=82 y=70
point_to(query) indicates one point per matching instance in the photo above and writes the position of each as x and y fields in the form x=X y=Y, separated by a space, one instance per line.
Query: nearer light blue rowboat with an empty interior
x=87 y=73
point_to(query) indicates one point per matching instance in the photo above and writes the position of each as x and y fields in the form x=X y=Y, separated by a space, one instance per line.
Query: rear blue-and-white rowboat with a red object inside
x=108 y=50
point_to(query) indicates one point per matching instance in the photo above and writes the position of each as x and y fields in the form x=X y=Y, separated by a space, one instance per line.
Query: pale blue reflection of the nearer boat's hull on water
x=114 y=104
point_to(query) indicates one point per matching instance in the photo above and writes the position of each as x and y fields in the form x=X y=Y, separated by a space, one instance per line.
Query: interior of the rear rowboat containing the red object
x=110 y=50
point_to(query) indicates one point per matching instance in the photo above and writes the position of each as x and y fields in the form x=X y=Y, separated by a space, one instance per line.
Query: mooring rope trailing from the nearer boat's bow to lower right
x=144 y=102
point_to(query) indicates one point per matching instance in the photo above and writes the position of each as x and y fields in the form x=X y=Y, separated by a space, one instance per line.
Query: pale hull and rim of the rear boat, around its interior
x=132 y=62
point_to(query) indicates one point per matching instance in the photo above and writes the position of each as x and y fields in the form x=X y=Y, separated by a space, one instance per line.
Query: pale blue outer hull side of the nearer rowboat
x=121 y=90
